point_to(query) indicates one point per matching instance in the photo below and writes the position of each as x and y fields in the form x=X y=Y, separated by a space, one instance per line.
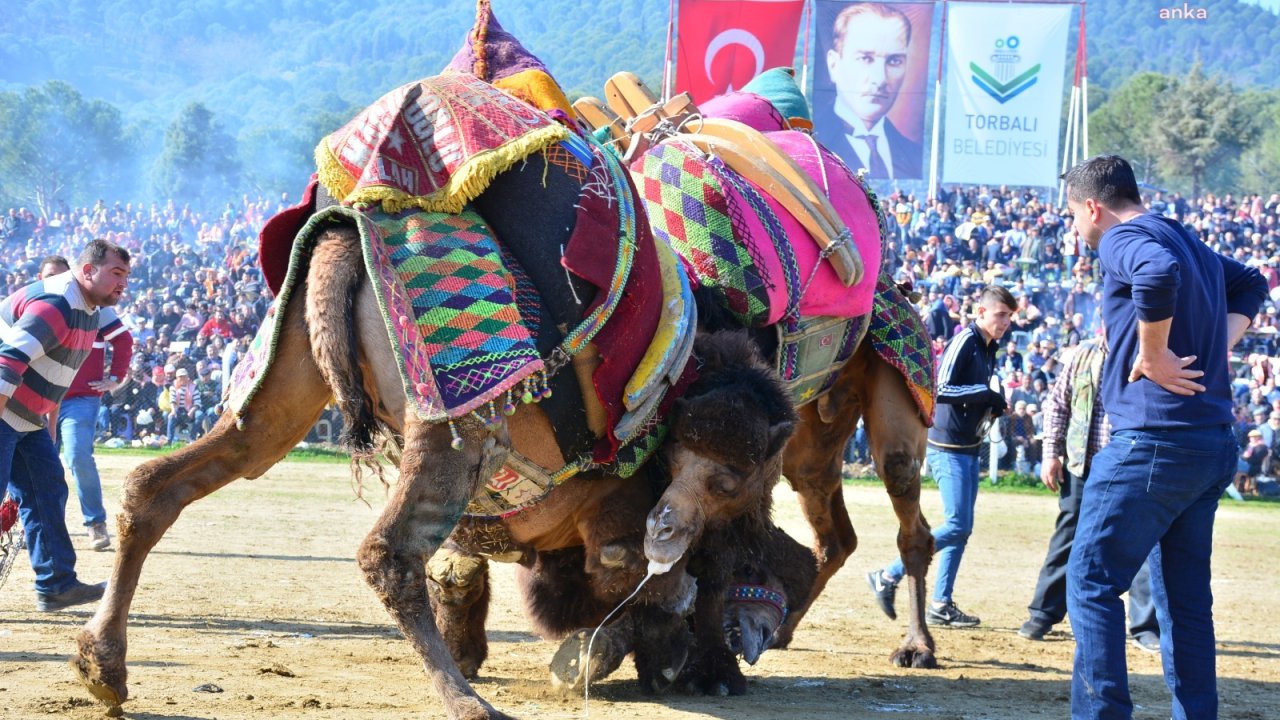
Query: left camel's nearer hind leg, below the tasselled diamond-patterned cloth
x=435 y=487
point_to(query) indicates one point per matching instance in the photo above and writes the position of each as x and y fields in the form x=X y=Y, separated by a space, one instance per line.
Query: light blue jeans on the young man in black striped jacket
x=958 y=480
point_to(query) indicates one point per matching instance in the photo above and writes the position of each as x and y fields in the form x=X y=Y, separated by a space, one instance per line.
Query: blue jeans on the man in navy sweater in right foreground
x=1150 y=493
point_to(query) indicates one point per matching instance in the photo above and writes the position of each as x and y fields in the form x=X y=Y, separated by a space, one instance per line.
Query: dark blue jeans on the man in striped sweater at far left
x=31 y=471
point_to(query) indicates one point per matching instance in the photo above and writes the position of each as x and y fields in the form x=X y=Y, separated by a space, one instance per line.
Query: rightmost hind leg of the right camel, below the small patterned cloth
x=898 y=439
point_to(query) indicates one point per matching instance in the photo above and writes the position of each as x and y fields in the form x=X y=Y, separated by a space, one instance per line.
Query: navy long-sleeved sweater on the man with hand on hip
x=1155 y=270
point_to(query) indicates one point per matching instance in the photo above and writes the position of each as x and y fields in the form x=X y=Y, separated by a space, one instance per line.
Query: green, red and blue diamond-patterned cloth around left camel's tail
x=447 y=304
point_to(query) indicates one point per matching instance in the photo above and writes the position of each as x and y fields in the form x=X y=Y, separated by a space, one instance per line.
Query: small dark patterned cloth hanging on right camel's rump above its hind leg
x=899 y=336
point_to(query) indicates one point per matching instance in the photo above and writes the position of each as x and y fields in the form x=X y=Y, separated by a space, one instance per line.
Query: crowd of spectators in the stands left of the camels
x=196 y=298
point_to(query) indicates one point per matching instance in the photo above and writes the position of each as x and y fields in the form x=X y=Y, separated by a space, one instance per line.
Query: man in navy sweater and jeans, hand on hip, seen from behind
x=1173 y=309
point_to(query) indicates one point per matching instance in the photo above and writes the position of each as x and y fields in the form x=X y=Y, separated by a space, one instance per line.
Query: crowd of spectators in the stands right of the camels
x=948 y=250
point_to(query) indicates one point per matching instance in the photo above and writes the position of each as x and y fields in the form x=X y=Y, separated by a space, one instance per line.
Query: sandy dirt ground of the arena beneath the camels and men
x=255 y=591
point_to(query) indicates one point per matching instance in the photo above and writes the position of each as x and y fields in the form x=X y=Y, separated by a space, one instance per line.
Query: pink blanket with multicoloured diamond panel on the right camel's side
x=746 y=245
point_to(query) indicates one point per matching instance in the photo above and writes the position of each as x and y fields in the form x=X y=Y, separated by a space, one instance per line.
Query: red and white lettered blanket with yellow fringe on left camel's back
x=433 y=144
